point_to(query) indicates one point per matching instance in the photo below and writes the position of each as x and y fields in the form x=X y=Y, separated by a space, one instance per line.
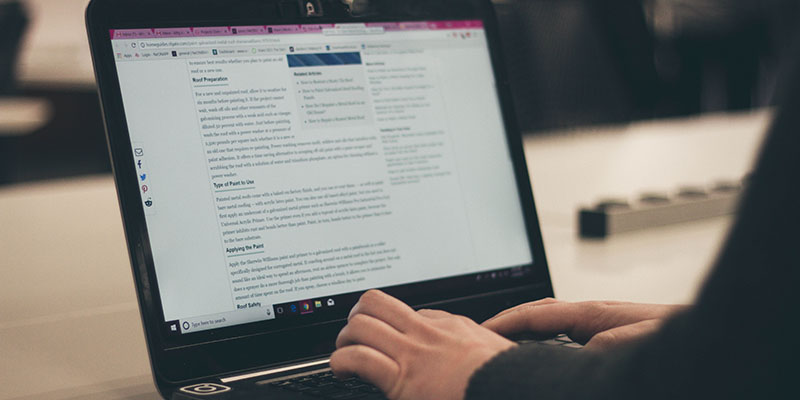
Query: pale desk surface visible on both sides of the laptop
x=69 y=324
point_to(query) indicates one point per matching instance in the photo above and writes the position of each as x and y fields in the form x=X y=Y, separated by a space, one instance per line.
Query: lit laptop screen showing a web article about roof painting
x=281 y=167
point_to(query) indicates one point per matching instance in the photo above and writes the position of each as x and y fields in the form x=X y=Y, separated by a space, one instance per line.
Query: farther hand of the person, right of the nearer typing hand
x=597 y=324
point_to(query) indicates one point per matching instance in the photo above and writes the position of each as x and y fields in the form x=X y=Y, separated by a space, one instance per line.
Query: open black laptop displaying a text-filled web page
x=274 y=159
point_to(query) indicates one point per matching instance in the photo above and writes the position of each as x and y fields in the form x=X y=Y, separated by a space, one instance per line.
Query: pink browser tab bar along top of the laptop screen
x=120 y=34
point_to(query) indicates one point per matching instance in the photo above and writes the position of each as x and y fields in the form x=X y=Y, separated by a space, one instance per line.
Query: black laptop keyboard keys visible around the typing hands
x=324 y=385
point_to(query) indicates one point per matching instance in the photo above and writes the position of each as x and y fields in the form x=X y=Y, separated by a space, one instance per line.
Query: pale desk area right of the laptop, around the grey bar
x=577 y=166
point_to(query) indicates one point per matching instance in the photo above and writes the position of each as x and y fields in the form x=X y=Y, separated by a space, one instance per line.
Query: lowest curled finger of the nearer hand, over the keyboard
x=367 y=363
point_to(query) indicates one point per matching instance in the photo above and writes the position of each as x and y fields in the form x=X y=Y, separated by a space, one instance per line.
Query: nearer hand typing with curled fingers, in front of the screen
x=428 y=354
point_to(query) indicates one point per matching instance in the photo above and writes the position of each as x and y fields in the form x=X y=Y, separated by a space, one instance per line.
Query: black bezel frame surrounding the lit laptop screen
x=186 y=359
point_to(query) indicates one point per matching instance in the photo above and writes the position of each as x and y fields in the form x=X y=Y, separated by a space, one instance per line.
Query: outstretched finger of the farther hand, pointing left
x=541 y=319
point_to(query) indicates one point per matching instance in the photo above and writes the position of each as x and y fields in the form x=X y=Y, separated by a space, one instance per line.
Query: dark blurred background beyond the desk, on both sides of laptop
x=573 y=63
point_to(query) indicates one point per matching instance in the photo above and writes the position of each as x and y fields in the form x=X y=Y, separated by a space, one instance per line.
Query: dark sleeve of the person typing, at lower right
x=738 y=341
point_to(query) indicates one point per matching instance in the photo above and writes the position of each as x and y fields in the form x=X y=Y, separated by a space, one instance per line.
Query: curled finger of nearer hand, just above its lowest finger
x=369 y=331
